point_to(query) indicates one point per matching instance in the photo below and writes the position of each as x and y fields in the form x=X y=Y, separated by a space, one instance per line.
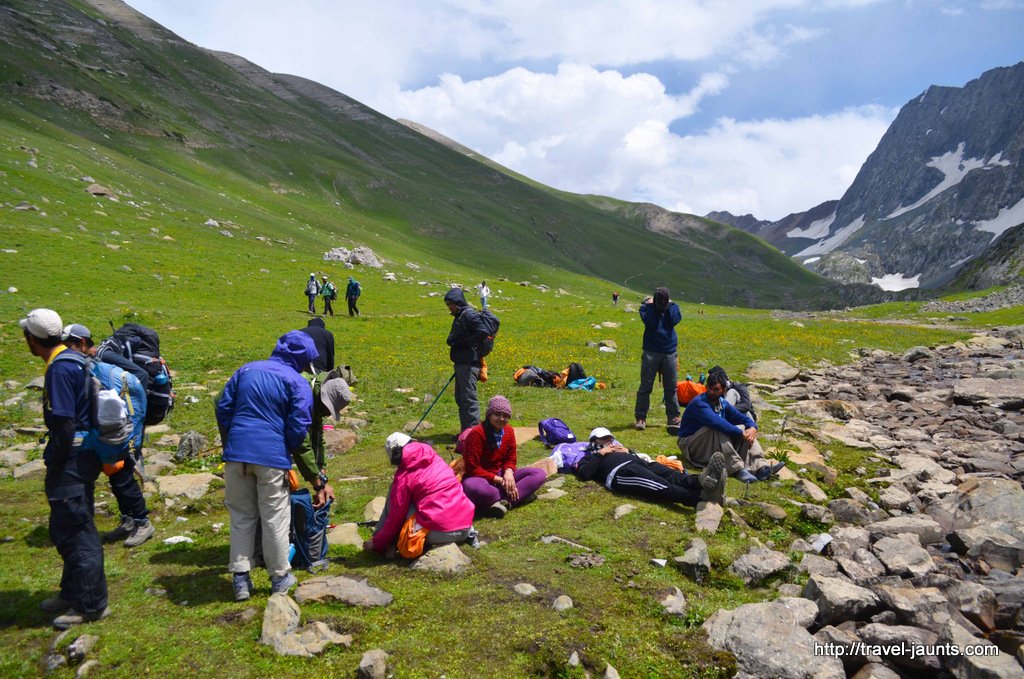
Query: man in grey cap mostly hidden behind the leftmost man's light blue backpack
x=136 y=527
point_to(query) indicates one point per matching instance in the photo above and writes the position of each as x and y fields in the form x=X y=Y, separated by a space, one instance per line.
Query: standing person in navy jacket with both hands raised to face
x=660 y=316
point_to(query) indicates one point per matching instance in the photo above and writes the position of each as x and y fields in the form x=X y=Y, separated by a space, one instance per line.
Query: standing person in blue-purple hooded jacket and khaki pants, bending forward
x=265 y=415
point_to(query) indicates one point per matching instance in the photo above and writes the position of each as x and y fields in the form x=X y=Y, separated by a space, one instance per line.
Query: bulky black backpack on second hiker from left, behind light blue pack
x=137 y=349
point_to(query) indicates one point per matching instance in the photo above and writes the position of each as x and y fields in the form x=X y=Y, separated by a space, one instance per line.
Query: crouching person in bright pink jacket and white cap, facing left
x=423 y=485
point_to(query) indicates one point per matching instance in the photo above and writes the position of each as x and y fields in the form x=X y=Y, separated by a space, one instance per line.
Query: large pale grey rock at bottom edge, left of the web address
x=769 y=643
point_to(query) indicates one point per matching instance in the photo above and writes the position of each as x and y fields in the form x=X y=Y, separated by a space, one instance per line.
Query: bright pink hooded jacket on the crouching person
x=424 y=480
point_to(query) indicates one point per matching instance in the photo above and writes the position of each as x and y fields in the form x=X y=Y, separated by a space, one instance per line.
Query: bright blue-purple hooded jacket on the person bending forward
x=267 y=408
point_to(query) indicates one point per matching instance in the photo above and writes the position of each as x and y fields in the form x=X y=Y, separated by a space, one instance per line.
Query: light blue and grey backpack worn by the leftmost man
x=117 y=403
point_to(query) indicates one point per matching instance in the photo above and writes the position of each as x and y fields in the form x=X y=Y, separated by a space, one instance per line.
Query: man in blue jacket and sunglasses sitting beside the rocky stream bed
x=711 y=426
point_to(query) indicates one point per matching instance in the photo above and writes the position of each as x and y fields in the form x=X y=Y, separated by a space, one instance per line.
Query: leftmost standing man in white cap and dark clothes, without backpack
x=71 y=475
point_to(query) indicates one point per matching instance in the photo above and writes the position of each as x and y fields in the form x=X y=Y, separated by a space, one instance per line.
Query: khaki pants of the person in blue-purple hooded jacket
x=255 y=496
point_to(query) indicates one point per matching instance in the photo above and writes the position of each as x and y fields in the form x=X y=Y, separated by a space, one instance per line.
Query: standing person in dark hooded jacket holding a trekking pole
x=464 y=339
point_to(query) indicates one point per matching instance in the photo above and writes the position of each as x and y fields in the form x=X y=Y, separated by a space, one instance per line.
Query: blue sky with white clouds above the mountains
x=762 y=107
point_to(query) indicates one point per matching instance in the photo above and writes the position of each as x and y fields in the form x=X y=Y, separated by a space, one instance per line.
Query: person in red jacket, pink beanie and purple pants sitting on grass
x=492 y=481
